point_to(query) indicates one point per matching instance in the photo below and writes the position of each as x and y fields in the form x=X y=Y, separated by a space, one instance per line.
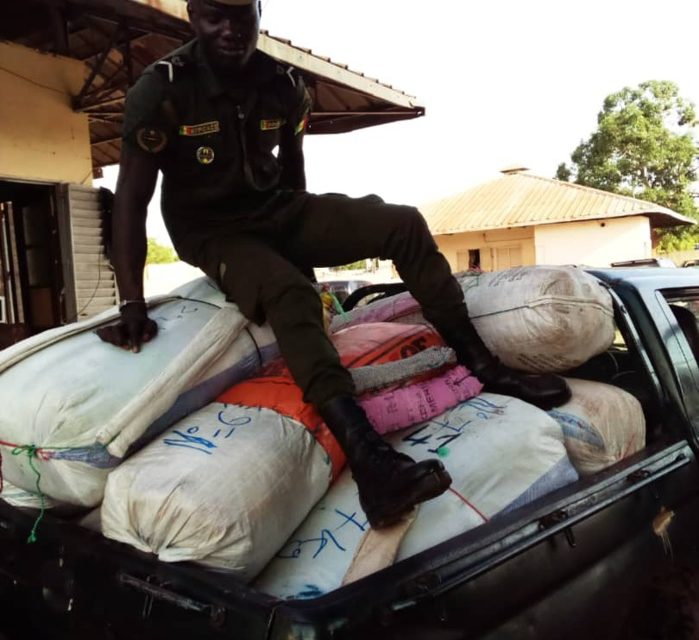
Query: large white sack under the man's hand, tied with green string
x=74 y=406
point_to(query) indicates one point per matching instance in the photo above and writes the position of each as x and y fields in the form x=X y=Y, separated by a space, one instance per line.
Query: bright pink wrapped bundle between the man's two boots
x=405 y=406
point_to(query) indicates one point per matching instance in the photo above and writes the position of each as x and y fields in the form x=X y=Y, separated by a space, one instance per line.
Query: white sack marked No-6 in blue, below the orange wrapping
x=225 y=487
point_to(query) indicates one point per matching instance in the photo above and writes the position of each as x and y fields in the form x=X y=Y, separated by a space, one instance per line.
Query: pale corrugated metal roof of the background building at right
x=520 y=199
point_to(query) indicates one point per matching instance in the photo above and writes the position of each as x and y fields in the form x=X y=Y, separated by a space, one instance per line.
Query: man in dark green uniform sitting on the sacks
x=209 y=116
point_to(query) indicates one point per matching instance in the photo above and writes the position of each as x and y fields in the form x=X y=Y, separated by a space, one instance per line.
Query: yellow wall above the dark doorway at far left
x=41 y=138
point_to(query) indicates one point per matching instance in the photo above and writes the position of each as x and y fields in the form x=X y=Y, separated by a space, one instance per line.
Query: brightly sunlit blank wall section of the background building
x=595 y=243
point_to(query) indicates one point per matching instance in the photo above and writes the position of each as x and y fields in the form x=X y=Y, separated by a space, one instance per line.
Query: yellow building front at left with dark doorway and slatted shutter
x=45 y=164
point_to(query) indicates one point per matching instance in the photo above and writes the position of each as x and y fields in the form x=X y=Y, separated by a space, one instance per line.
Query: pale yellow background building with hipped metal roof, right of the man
x=522 y=219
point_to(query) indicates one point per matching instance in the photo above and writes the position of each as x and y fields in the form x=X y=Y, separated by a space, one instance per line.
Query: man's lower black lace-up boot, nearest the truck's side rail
x=390 y=483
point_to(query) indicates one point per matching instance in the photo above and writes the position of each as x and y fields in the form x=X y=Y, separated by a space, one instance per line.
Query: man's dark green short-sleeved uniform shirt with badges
x=216 y=144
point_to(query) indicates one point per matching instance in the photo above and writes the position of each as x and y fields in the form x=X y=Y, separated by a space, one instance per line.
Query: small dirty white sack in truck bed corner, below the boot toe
x=602 y=424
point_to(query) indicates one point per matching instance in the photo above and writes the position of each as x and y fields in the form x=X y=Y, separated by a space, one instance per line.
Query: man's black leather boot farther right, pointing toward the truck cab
x=544 y=390
